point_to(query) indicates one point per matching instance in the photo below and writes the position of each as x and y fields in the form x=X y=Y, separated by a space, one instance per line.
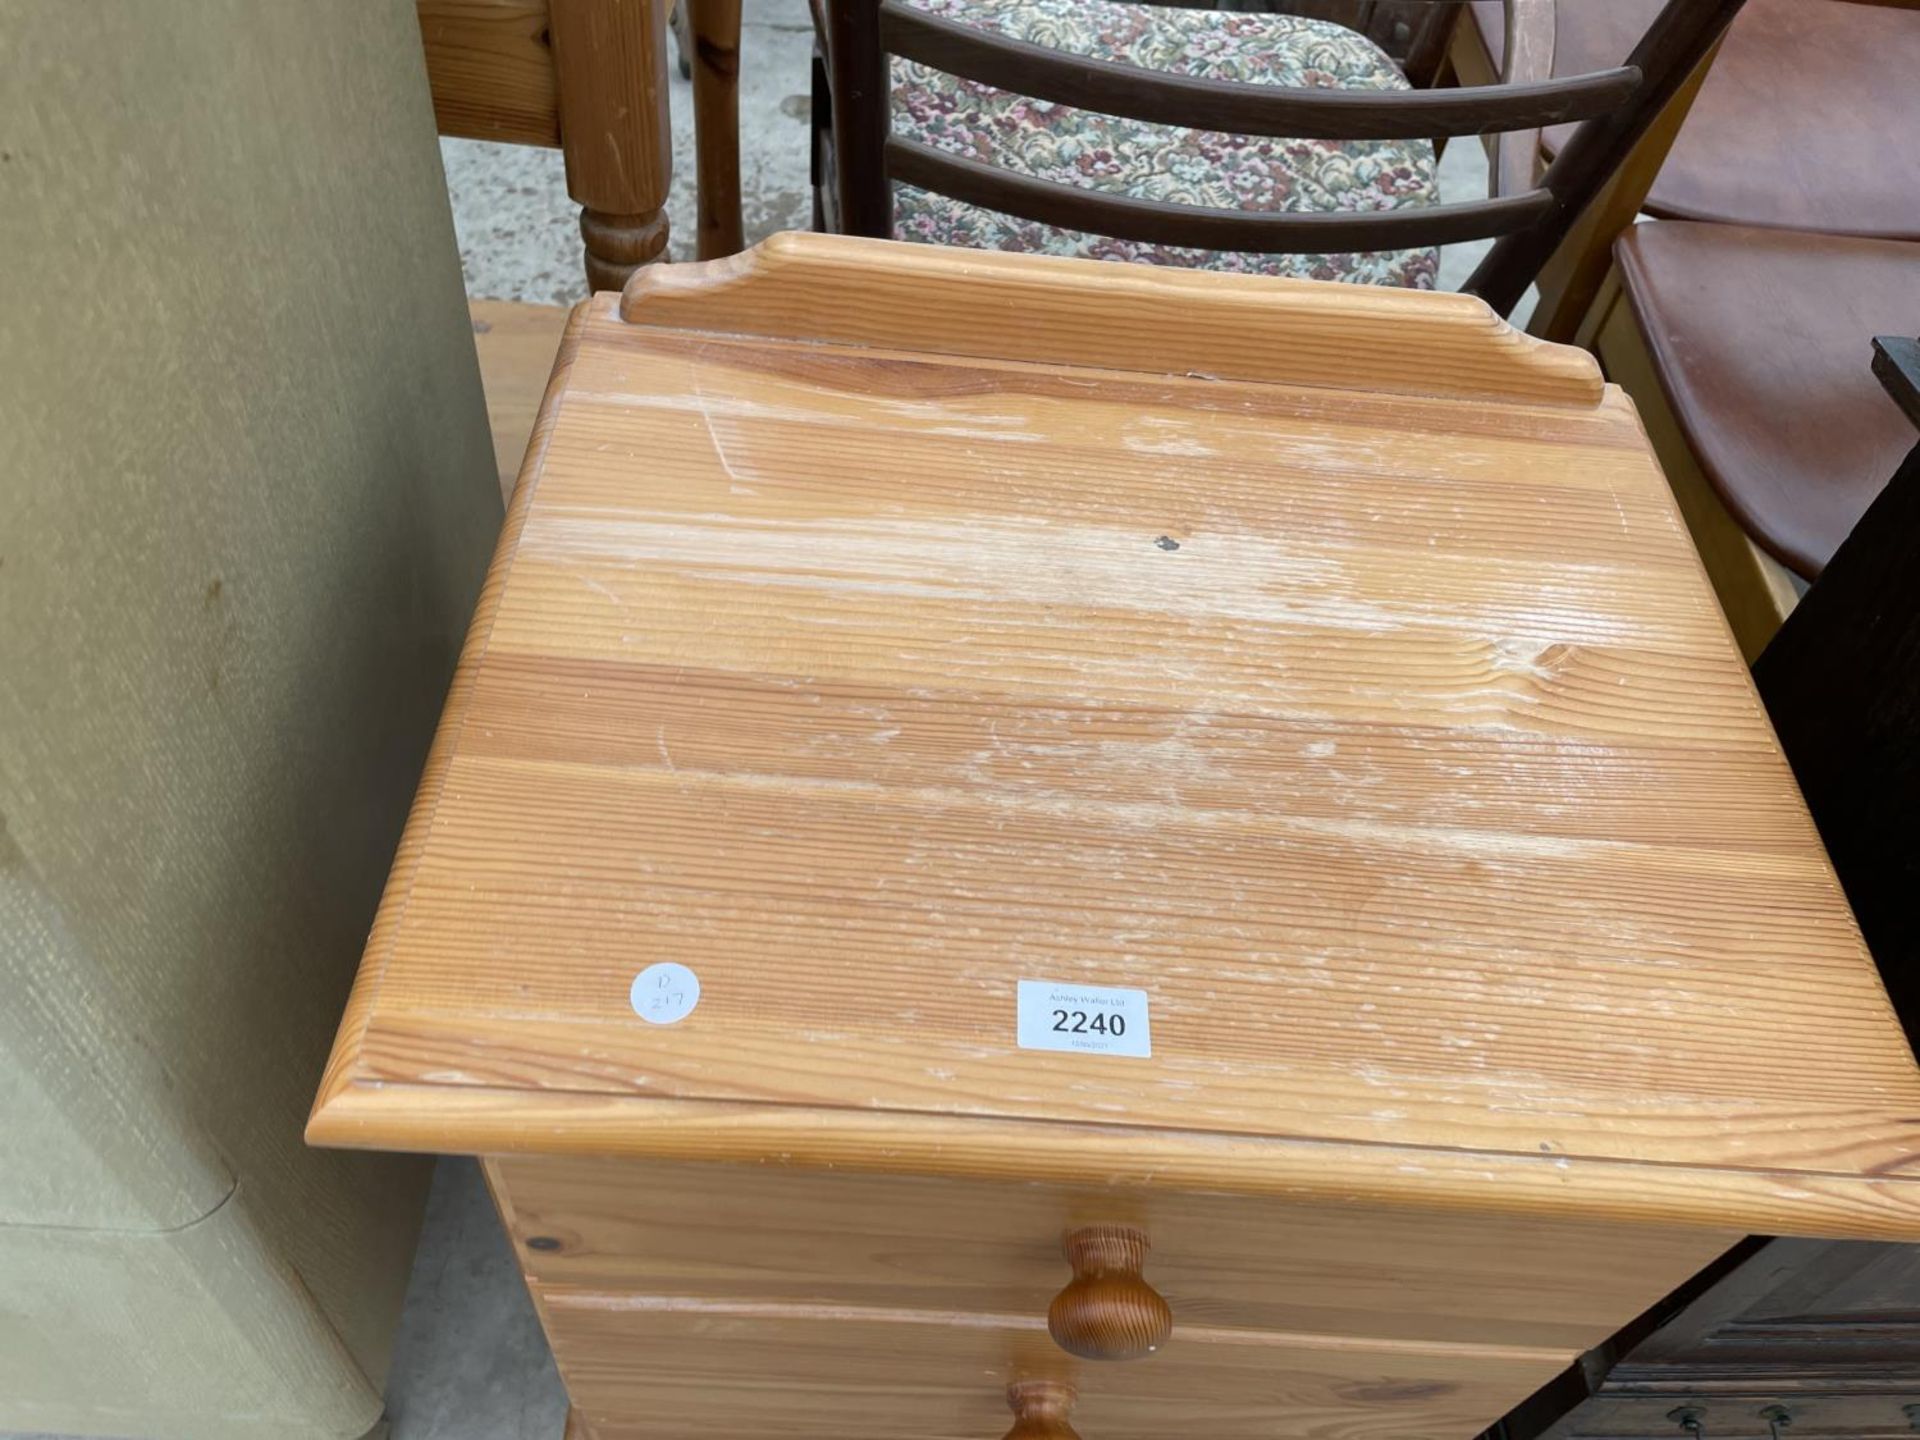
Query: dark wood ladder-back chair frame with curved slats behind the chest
x=1527 y=218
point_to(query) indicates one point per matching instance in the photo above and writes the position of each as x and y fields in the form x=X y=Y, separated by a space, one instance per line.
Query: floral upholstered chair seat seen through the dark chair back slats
x=1155 y=162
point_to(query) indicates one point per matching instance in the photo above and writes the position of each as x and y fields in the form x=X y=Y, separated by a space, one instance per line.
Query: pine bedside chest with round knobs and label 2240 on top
x=1145 y=850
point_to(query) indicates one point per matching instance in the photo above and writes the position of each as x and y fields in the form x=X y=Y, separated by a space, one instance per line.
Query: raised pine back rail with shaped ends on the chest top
x=932 y=300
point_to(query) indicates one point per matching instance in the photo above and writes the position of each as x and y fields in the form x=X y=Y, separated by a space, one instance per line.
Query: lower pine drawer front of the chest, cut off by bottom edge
x=638 y=1368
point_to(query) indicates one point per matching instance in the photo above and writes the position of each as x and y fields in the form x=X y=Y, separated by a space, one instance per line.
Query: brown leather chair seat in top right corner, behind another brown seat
x=1806 y=120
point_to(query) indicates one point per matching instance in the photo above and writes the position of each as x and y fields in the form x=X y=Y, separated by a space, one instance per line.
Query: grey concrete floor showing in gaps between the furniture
x=471 y=1362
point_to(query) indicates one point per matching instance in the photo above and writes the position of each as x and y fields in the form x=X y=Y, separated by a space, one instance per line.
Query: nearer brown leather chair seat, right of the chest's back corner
x=1764 y=347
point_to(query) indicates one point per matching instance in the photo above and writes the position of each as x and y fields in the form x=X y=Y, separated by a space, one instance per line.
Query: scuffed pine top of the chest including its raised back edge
x=1391 y=742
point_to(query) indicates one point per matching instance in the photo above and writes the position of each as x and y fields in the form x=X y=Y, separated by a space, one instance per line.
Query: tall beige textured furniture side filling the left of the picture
x=247 y=500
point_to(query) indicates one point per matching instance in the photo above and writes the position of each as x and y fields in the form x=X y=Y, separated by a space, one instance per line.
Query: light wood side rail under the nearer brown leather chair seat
x=1754 y=588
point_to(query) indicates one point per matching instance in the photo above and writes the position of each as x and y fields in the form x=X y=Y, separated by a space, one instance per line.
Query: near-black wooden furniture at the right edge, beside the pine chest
x=1842 y=684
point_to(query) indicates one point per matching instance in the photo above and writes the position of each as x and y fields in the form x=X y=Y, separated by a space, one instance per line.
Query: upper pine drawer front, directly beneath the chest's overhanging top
x=1236 y=1262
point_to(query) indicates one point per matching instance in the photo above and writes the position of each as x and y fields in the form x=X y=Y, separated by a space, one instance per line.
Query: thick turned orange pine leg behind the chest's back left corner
x=610 y=60
